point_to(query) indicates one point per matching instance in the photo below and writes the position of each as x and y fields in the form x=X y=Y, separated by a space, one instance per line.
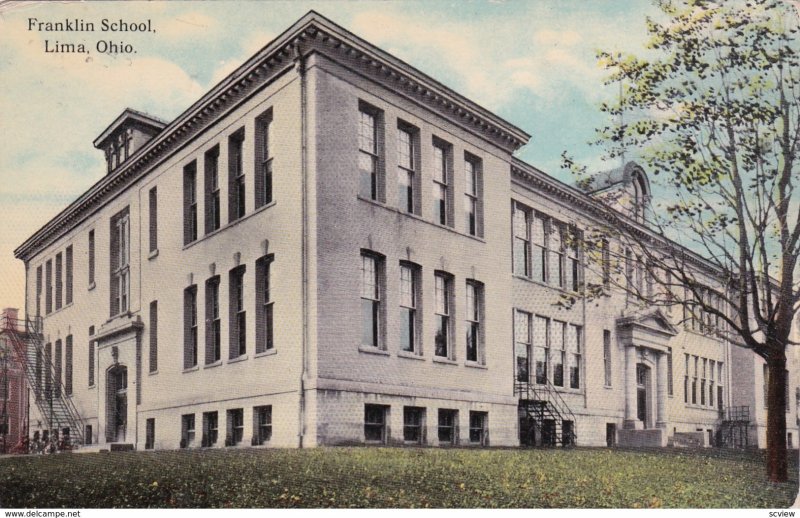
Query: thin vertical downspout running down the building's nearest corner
x=301 y=70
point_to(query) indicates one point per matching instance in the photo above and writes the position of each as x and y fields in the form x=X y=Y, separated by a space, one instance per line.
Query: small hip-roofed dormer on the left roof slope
x=127 y=134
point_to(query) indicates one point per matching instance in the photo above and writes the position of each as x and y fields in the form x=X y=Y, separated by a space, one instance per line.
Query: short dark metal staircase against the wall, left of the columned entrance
x=544 y=417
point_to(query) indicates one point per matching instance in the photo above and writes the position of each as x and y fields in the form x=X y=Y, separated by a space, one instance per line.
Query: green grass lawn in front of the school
x=387 y=477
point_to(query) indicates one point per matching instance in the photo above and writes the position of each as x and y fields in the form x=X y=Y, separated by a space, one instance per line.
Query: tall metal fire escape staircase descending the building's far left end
x=55 y=406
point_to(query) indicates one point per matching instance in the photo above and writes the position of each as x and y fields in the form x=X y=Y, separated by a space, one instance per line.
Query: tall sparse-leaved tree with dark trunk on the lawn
x=713 y=109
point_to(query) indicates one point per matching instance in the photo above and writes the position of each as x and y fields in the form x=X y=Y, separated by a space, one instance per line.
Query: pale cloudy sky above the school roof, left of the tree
x=531 y=62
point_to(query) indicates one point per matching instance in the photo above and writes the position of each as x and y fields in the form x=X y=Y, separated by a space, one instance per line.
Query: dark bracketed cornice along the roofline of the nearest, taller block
x=311 y=33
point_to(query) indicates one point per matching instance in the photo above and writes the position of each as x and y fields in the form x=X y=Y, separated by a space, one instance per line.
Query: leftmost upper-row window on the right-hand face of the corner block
x=370 y=136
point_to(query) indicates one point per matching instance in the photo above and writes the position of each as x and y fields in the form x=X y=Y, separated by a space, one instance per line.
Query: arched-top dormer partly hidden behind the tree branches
x=625 y=189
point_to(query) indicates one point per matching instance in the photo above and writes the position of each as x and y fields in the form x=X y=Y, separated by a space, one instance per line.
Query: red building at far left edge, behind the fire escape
x=13 y=388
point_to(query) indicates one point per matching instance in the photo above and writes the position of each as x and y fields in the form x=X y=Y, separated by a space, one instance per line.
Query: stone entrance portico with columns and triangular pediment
x=645 y=337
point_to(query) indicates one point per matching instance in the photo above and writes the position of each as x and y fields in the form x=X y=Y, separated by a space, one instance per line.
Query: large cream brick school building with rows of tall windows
x=331 y=247
